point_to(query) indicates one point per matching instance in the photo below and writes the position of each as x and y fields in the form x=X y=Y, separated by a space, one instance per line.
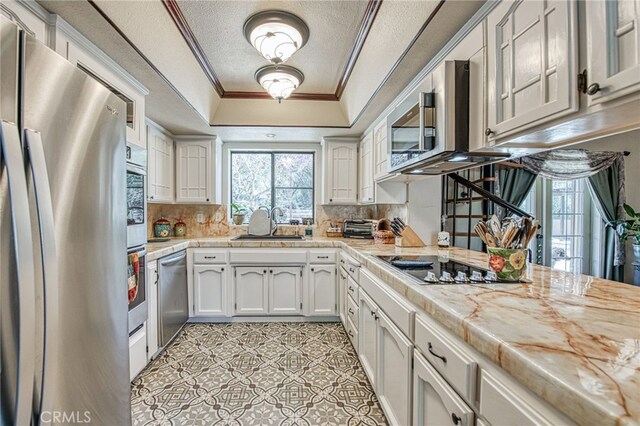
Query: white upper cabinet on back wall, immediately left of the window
x=196 y=173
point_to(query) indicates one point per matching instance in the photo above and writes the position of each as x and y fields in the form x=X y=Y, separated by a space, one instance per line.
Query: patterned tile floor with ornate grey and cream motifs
x=256 y=374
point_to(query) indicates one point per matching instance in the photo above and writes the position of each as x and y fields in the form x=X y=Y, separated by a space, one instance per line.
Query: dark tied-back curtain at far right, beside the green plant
x=607 y=190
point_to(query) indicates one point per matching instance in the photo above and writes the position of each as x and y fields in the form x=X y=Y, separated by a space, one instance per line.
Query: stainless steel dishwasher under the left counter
x=173 y=305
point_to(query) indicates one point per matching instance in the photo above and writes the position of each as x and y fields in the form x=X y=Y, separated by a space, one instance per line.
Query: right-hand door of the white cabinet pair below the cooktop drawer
x=394 y=358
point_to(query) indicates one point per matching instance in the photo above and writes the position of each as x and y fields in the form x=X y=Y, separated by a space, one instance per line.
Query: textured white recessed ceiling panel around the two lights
x=333 y=27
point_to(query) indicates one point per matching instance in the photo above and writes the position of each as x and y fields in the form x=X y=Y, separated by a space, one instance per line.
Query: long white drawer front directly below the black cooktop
x=401 y=313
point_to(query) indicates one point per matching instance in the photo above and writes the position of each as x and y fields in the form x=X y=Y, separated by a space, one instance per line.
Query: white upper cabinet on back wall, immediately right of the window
x=340 y=169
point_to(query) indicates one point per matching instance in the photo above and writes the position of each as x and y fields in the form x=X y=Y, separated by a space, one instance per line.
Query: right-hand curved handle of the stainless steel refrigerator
x=44 y=207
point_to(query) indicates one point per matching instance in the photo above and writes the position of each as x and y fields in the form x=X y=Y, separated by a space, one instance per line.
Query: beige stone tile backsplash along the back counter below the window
x=215 y=221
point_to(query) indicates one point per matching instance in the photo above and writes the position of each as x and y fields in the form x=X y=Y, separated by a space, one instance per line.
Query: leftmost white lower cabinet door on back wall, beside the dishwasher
x=210 y=290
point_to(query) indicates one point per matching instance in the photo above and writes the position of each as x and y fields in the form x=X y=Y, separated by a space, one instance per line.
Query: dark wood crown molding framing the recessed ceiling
x=183 y=26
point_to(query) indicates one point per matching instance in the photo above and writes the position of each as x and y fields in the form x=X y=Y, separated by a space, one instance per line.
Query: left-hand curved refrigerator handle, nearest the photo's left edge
x=13 y=159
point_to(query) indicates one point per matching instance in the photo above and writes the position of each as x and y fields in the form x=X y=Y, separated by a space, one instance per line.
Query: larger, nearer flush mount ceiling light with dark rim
x=276 y=34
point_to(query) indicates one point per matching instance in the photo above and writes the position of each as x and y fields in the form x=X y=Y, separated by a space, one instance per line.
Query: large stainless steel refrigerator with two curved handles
x=63 y=293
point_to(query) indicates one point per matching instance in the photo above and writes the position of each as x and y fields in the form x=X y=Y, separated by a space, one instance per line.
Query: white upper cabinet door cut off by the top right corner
x=613 y=48
